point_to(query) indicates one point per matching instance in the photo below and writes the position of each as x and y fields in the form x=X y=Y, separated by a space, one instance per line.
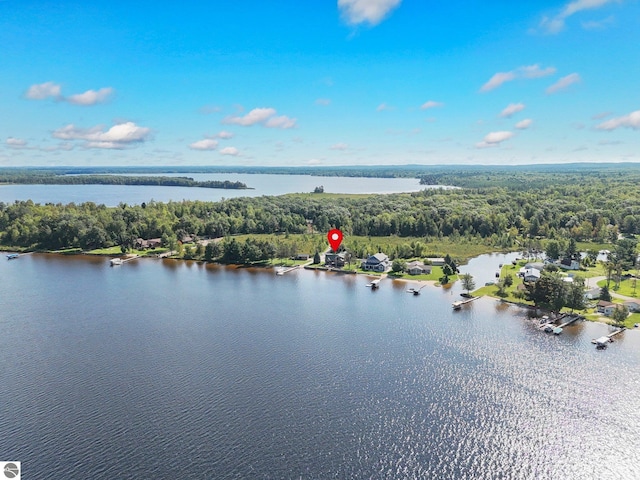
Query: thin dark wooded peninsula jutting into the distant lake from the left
x=44 y=178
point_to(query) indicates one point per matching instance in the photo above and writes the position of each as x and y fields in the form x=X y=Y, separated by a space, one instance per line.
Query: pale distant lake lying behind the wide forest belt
x=112 y=195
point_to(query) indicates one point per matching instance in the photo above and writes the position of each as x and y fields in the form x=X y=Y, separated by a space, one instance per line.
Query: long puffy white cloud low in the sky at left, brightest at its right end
x=119 y=136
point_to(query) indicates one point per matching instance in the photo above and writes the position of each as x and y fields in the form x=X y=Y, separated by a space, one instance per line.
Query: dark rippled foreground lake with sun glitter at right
x=161 y=369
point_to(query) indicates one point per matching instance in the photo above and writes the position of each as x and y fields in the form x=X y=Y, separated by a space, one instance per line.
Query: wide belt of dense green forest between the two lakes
x=594 y=209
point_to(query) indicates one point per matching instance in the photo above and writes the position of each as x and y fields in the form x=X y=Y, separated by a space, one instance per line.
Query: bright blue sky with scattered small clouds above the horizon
x=347 y=82
